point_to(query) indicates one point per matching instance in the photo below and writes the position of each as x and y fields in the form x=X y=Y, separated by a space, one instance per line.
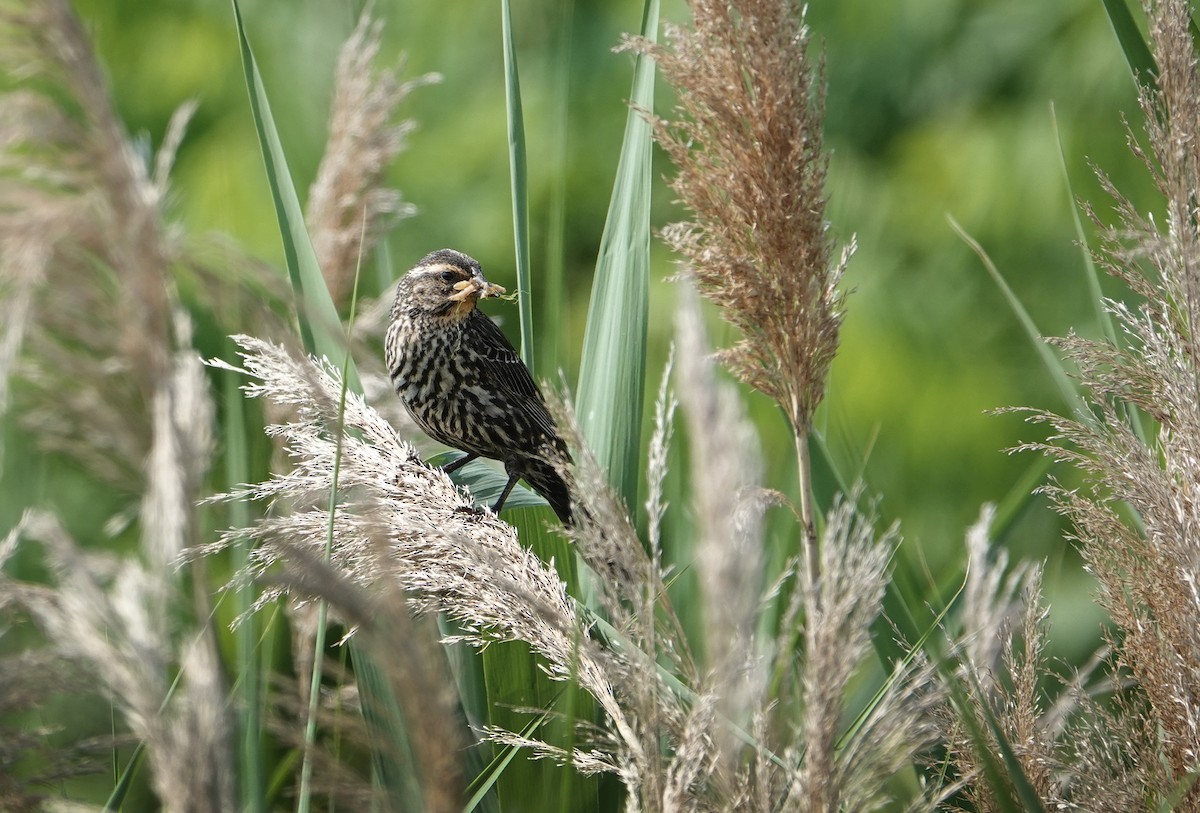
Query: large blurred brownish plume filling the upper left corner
x=79 y=200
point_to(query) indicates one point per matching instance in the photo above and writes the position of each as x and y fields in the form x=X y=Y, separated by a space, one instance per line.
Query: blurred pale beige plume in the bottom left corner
x=115 y=618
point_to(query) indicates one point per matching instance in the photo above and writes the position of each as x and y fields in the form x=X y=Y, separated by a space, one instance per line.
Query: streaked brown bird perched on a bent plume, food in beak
x=463 y=382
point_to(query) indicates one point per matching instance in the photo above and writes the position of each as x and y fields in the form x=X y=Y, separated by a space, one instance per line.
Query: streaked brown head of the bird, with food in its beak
x=446 y=285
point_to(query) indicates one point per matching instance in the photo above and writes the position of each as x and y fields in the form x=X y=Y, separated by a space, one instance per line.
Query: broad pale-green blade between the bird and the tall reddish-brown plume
x=613 y=374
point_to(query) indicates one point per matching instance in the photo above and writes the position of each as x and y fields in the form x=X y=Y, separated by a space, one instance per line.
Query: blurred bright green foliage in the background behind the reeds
x=935 y=109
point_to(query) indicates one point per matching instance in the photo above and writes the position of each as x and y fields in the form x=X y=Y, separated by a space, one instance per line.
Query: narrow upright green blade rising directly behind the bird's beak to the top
x=519 y=173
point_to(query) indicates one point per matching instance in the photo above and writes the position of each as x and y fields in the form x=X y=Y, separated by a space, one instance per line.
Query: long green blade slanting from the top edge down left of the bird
x=317 y=316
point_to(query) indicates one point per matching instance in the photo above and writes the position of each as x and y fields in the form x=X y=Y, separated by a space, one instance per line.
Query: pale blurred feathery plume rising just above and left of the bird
x=350 y=208
